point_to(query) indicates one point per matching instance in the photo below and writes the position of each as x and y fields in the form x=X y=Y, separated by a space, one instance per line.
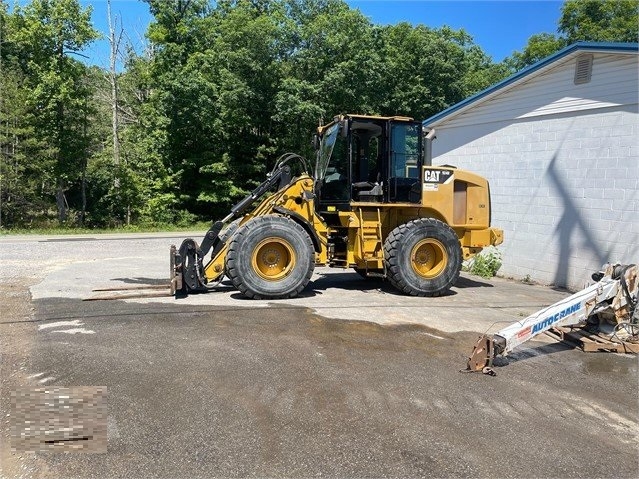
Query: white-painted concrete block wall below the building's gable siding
x=565 y=189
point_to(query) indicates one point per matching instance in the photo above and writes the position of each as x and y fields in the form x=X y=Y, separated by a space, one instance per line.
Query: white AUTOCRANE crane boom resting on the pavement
x=616 y=291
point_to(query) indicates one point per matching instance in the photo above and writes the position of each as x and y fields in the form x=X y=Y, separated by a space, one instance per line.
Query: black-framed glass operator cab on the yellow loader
x=368 y=159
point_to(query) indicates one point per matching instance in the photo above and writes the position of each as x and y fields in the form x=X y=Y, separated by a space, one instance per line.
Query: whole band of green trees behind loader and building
x=222 y=90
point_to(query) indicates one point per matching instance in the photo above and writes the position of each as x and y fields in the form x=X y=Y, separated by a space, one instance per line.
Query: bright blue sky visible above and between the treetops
x=499 y=26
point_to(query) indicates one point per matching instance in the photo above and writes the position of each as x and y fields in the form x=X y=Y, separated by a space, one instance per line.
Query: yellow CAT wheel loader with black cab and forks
x=371 y=204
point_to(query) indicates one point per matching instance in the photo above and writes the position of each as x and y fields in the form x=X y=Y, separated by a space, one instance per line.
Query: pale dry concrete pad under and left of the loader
x=475 y=304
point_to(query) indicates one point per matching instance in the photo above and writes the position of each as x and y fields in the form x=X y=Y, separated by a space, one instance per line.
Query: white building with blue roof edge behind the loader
x=559 y=143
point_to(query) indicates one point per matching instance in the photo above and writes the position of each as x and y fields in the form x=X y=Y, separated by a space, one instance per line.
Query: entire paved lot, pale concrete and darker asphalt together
x=349 y=380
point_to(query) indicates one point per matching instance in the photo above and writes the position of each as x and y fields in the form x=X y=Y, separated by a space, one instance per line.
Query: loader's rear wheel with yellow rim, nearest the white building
x=409 y=251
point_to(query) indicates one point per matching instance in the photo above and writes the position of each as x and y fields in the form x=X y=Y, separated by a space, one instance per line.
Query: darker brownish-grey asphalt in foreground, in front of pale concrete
x=281 y=391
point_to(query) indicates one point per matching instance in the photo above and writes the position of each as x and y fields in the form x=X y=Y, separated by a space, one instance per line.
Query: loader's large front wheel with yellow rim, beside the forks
x=270 y=242
